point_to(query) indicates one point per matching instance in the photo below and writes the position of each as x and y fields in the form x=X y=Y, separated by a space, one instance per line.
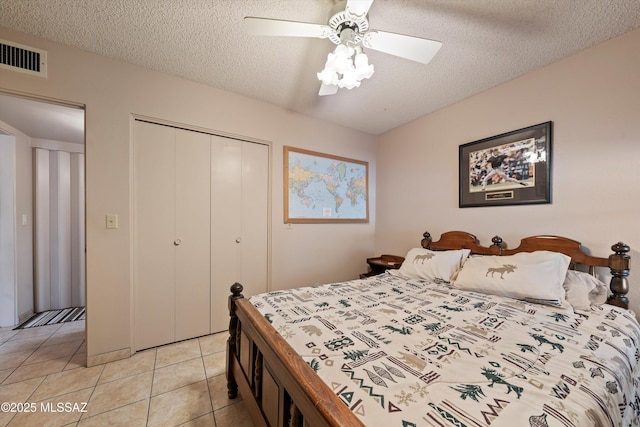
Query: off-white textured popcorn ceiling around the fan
x=486 y=43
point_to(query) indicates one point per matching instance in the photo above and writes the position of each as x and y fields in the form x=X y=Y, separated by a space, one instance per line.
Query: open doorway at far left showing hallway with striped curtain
x=26 y=126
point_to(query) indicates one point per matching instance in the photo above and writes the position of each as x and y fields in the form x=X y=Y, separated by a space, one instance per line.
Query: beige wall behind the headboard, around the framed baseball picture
x=593 y=99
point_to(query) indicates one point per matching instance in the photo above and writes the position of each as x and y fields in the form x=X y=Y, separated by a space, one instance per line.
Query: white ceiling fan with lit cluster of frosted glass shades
x=348 y=28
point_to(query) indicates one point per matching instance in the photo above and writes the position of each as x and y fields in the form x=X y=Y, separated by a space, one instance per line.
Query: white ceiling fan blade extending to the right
x=408 y=47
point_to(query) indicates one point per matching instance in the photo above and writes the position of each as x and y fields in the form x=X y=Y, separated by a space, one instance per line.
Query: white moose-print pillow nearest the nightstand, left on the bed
x=424 y=264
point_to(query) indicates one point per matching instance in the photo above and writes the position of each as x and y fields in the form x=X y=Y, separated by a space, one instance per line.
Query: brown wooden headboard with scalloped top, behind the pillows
x=618 y=262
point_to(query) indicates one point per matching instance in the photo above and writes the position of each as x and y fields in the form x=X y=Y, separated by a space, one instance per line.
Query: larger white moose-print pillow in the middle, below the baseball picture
x=530 y=276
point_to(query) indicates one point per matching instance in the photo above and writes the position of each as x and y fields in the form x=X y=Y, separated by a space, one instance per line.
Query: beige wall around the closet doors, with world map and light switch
x=112 y=91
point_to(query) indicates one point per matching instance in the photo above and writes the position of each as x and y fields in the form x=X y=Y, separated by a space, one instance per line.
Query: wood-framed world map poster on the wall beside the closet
x=324 y=188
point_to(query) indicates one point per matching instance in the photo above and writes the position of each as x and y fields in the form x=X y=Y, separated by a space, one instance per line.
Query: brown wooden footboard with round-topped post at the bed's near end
x=277 y=386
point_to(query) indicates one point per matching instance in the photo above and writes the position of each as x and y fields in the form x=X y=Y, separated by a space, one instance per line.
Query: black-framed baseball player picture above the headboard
x=513 y=168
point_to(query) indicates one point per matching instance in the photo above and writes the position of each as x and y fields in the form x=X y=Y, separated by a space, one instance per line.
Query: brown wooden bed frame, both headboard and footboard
x=280 y=389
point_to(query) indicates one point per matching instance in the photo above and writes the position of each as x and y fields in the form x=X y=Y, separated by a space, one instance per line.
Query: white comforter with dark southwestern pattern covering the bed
x=410 y=353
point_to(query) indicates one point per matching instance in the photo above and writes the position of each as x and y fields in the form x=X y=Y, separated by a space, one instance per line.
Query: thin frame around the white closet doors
x=132 y=205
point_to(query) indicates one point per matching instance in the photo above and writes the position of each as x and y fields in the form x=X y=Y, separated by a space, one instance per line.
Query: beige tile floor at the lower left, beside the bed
x=43 y=370
